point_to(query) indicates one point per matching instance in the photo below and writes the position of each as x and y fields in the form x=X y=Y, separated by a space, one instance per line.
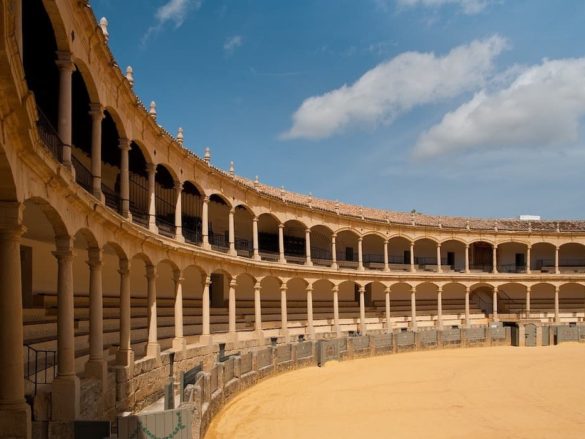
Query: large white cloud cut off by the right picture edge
x=542 y=107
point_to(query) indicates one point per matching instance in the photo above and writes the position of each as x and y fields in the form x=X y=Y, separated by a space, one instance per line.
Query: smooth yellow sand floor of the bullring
x=500 y=392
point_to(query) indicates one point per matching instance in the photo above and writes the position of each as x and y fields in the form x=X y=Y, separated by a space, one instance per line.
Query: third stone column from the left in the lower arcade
x=96 y=366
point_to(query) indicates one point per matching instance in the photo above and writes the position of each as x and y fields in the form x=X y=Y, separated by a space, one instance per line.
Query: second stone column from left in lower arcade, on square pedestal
x=65 y=394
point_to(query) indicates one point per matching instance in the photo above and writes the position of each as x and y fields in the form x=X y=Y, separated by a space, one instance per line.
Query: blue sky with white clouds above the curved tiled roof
x=449 y=107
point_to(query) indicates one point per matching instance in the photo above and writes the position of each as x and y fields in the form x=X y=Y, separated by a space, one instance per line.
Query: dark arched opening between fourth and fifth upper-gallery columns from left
x=166 y=197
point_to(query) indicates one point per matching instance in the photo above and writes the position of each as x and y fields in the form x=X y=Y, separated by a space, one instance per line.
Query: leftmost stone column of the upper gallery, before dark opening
x=66 y=69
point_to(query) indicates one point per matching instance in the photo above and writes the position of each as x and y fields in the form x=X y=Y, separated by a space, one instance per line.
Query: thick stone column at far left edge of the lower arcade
x=15 y=417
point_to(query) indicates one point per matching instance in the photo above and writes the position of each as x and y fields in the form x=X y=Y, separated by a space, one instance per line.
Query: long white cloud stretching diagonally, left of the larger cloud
x=394 y=87
